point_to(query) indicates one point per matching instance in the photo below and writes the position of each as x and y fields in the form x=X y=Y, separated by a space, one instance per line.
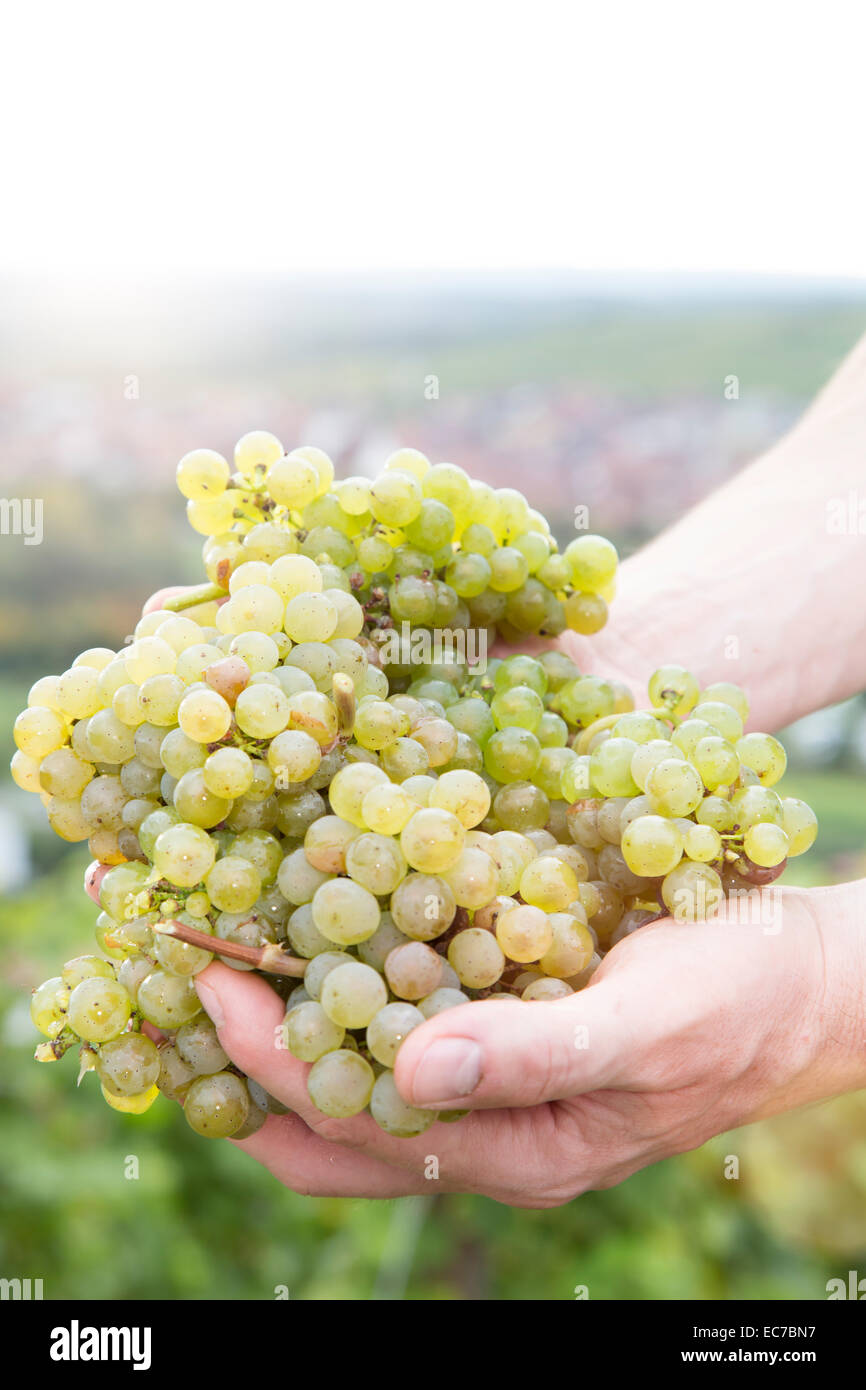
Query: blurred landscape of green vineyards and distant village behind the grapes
x=612 y=391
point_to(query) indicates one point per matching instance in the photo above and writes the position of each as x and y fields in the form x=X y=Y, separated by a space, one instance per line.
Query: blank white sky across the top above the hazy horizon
x=386 y=136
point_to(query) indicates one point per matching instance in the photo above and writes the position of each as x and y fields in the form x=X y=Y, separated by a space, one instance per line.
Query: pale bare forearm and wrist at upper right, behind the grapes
x=765 y=582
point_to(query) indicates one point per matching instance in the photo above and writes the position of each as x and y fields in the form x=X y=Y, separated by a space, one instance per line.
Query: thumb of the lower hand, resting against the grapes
x=498 y=1056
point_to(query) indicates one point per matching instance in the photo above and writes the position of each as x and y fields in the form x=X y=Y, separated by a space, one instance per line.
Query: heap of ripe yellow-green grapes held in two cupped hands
x=270 y=780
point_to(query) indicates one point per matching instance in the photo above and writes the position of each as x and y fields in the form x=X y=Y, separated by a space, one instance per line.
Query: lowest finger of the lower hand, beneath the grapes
x=312 y=1166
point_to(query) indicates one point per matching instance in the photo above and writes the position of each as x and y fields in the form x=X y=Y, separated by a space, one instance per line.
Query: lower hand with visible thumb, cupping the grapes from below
x=686 y=1032
